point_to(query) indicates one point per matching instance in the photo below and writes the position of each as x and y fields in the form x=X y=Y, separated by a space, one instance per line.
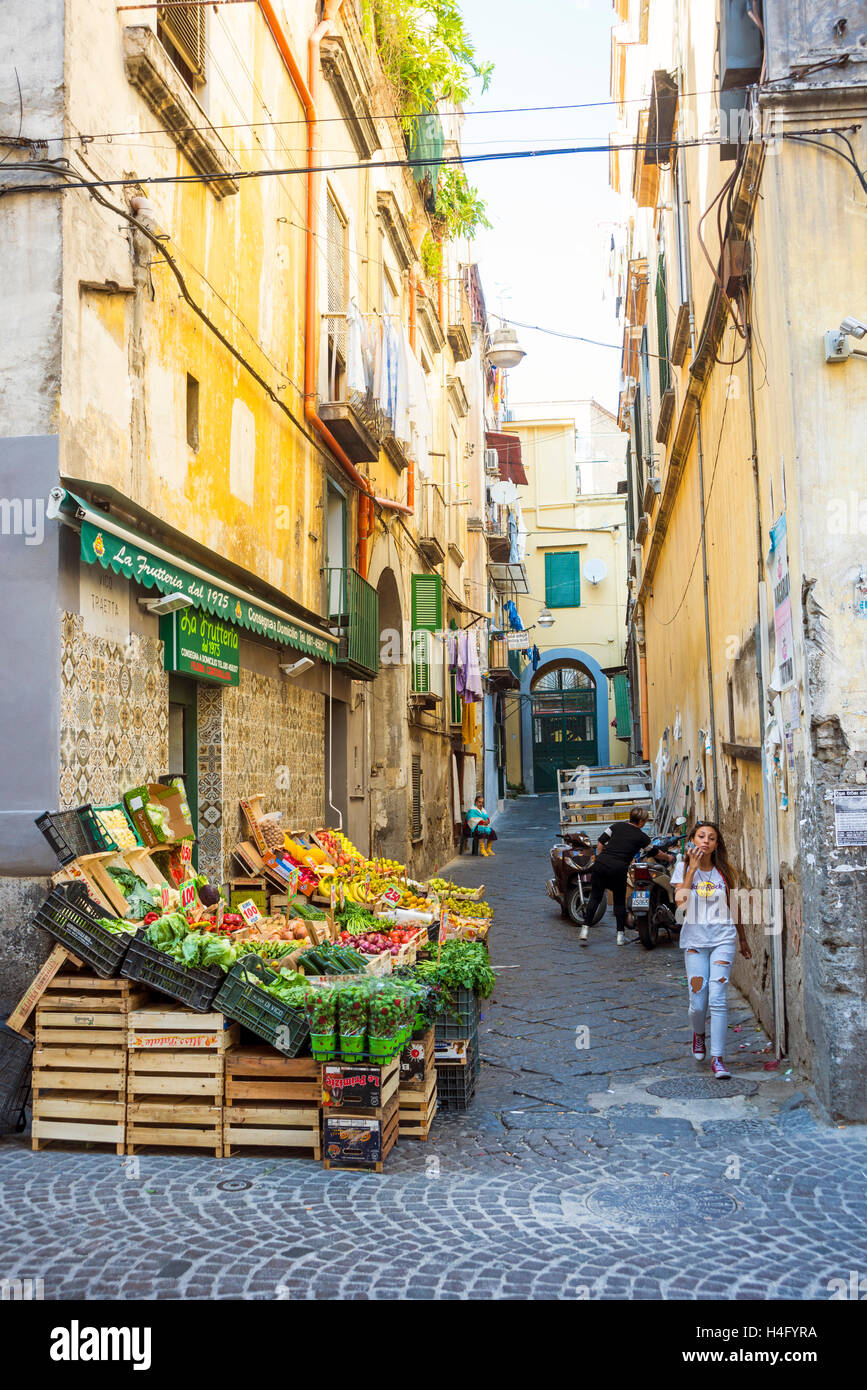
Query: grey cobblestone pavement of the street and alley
x=566 y=1179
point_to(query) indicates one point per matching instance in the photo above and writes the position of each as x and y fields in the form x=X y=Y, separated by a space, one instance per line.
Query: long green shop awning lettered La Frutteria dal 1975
x=116 y=547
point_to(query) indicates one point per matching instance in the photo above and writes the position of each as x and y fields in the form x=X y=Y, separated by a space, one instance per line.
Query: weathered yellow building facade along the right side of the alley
x=744 y=245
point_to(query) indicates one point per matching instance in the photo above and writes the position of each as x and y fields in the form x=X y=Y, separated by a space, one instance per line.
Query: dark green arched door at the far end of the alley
x=565 y=728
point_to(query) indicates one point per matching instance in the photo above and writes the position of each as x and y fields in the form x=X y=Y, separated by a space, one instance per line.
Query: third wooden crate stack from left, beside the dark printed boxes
x=272 y=1102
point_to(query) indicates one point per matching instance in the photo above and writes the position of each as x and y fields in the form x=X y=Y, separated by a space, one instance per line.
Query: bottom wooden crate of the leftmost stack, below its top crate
x=80 y=1089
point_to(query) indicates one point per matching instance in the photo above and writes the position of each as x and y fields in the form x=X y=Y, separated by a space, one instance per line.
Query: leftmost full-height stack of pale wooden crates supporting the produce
x=80 y=1061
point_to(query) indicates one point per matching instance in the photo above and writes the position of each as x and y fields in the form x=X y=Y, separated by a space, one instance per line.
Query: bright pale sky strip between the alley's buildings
x=543 y=263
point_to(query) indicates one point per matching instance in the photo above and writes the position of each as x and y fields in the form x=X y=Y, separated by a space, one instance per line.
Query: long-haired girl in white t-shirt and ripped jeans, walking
x=702 y=886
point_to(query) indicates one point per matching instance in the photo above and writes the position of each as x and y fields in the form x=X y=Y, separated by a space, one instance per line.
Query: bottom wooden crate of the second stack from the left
x=174 y=1099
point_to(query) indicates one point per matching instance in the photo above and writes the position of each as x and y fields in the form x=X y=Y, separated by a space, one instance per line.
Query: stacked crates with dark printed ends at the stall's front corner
x=359 y=1114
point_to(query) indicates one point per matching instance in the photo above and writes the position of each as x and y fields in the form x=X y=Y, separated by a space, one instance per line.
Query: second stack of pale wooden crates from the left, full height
x=177 y=1078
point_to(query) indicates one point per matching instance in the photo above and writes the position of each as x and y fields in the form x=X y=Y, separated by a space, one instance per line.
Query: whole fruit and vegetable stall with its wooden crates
x=320 y=1004
